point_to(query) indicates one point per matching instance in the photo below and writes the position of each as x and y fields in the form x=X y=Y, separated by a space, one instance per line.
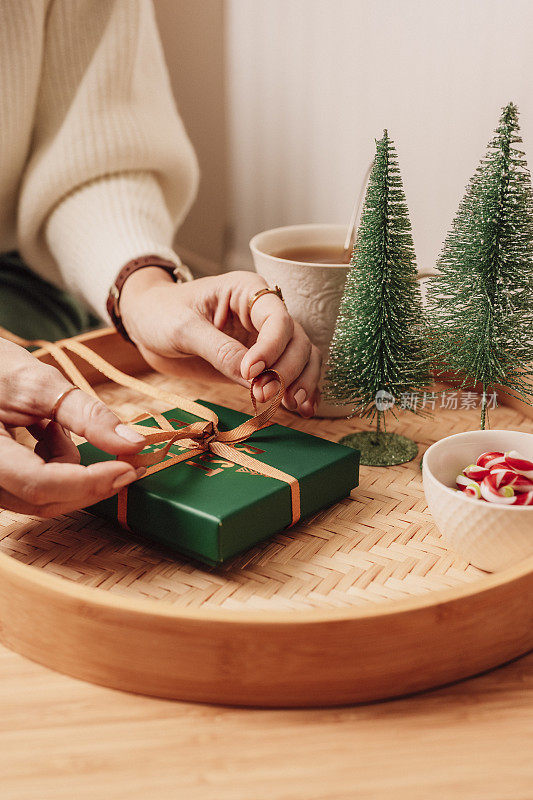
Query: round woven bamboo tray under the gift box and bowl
x=362 y=601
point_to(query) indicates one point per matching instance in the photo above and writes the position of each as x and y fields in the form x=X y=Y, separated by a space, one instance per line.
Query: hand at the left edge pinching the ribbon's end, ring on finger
x=50 y=480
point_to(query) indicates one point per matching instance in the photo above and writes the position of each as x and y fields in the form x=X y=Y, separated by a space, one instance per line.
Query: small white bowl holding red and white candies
x=490 y=536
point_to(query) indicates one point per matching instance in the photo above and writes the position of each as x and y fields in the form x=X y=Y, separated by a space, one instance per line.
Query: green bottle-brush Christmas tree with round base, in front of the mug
x=379 y=349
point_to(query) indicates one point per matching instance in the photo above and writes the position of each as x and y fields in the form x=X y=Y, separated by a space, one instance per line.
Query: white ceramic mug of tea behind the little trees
x=312 y=292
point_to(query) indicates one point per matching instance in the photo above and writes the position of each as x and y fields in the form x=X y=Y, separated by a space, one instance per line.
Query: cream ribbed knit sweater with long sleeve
x=95 y=165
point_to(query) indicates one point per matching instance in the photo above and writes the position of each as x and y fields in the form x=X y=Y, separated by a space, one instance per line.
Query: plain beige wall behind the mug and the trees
x=283 y=100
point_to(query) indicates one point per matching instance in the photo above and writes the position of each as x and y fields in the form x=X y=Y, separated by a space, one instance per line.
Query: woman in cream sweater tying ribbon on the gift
x=96 y=174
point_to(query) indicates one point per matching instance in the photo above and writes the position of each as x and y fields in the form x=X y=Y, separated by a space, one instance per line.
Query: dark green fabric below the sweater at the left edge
x=35 y=309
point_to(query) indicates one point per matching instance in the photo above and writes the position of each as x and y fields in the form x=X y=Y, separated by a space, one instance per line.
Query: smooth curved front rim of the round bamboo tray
x=262 y=657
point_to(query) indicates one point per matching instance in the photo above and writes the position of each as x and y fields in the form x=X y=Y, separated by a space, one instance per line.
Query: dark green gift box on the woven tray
x=211 y=509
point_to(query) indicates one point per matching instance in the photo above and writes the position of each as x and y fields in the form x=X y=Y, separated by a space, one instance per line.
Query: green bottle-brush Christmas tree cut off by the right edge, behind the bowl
x=481 y=303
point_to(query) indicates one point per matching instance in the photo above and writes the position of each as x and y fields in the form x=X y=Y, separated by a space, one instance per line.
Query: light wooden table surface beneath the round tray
x=67 y=740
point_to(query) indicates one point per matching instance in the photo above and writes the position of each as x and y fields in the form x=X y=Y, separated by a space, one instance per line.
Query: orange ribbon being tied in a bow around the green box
x=198 y=437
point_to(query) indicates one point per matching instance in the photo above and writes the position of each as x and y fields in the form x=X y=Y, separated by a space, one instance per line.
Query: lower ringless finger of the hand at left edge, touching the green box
x=31 y=486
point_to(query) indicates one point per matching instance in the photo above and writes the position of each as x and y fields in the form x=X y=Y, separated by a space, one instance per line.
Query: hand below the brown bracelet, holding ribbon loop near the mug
x=209 y=317
